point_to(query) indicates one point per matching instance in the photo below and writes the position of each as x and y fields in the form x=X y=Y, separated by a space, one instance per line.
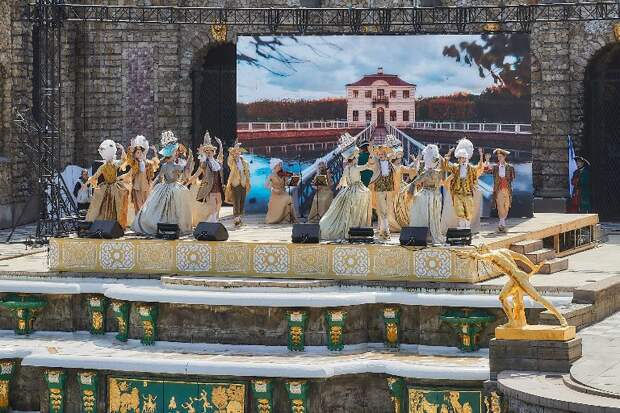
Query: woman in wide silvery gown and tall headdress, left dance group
x=170 y=201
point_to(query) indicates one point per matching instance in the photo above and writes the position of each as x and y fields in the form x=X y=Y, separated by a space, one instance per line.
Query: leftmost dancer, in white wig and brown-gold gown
x=111 y=194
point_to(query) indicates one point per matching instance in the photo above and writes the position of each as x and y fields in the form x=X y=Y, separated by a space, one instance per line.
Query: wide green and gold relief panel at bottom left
x=157 y=396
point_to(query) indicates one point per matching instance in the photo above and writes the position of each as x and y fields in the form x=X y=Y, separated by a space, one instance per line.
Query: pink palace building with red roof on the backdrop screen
x=381 y=98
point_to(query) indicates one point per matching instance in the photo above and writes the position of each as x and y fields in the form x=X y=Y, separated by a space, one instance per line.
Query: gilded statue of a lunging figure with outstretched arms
x=518 y=284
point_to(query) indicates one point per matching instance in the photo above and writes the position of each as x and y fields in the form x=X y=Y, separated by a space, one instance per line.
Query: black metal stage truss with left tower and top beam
x=49 y=16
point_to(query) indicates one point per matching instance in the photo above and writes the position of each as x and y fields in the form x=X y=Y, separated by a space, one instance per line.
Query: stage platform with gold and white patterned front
x=260 y=250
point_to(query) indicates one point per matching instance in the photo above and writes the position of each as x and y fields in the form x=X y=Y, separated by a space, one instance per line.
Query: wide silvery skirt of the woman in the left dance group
x=168 y=203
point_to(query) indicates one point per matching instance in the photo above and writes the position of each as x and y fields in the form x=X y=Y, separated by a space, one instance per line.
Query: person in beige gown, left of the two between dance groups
x=280 y=207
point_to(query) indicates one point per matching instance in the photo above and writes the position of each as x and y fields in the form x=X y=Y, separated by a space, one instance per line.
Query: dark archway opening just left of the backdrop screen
x=214 y=104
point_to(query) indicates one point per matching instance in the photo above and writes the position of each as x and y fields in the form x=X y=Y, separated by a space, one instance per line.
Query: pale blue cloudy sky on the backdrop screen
x=327 y=63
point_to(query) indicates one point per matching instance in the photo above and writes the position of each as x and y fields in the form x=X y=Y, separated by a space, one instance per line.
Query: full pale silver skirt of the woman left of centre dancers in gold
x=350 y=209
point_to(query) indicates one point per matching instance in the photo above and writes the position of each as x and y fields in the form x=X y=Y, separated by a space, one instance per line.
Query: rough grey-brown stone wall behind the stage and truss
x=123 y=79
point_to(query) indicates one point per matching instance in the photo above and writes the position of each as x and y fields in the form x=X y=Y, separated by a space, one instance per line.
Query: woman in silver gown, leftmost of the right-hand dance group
x=351 y=207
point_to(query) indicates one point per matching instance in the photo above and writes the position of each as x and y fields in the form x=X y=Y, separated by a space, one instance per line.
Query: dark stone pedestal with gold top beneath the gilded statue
x=522 y=354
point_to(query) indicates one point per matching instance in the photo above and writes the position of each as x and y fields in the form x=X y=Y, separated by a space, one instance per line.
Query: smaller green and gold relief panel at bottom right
x=444 y=401
